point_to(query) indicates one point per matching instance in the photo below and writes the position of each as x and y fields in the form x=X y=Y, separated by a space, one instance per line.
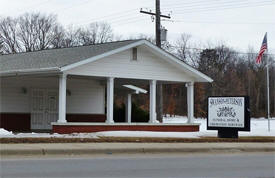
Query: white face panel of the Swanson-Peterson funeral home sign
x=226 y=112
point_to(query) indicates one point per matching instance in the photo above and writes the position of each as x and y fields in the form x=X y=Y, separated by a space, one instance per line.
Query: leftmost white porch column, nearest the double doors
x=62 y=98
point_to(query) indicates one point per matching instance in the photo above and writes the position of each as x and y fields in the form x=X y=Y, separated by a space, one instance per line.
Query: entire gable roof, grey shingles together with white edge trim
x=63 y=59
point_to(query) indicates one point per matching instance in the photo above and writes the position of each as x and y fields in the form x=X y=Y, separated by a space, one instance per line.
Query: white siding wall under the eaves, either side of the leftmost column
x=87 y=96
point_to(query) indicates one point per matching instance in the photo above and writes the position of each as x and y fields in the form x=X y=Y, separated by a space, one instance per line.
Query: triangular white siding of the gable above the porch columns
x=120 y=65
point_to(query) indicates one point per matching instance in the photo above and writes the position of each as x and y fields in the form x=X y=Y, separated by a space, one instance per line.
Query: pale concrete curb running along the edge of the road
x=85 y=151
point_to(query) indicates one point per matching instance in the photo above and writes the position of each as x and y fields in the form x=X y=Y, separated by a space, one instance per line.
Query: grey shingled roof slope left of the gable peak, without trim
x=56 y=57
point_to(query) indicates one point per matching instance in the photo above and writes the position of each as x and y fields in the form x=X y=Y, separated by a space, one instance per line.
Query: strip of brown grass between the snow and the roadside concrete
x=136 y=140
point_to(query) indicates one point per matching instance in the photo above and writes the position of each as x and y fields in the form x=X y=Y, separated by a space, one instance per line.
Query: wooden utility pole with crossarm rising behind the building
x=158 y=15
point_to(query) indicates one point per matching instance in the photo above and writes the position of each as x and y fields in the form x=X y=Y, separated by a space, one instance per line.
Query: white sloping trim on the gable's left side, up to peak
x=92 y=59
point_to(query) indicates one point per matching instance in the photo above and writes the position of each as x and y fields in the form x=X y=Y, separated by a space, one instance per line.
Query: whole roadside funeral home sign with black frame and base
x=228 y=115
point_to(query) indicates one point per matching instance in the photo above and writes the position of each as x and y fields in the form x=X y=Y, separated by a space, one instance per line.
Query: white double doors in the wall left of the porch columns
x=44 y=108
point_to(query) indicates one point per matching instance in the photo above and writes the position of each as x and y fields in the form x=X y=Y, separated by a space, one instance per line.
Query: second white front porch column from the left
x=110 y=100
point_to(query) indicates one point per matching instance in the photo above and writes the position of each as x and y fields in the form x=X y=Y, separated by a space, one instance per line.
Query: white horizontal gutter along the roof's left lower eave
x=30 y=71
